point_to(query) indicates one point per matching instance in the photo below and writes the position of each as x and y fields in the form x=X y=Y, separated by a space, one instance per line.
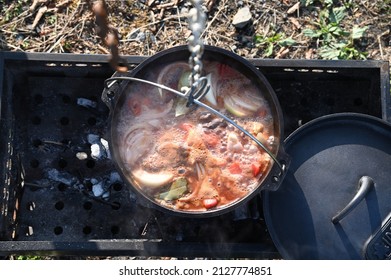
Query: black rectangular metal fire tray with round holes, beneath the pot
x=62 y=194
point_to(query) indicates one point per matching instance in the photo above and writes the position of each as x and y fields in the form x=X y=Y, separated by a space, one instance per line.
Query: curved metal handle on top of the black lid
x=365 y=184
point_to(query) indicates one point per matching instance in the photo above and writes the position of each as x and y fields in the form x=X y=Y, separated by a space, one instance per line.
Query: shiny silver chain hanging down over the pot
x=196 y=23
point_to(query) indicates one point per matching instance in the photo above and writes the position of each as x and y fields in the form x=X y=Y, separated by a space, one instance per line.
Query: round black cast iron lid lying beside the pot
x=334 y=159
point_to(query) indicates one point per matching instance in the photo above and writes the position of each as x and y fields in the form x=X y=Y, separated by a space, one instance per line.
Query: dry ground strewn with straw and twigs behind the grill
x=149 y=26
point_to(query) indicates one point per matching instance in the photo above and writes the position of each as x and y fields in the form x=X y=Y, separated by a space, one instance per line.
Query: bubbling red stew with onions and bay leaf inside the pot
x=195 y=161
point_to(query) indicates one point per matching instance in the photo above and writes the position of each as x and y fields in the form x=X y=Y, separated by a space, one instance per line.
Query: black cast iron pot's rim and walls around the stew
x=114 y=97
